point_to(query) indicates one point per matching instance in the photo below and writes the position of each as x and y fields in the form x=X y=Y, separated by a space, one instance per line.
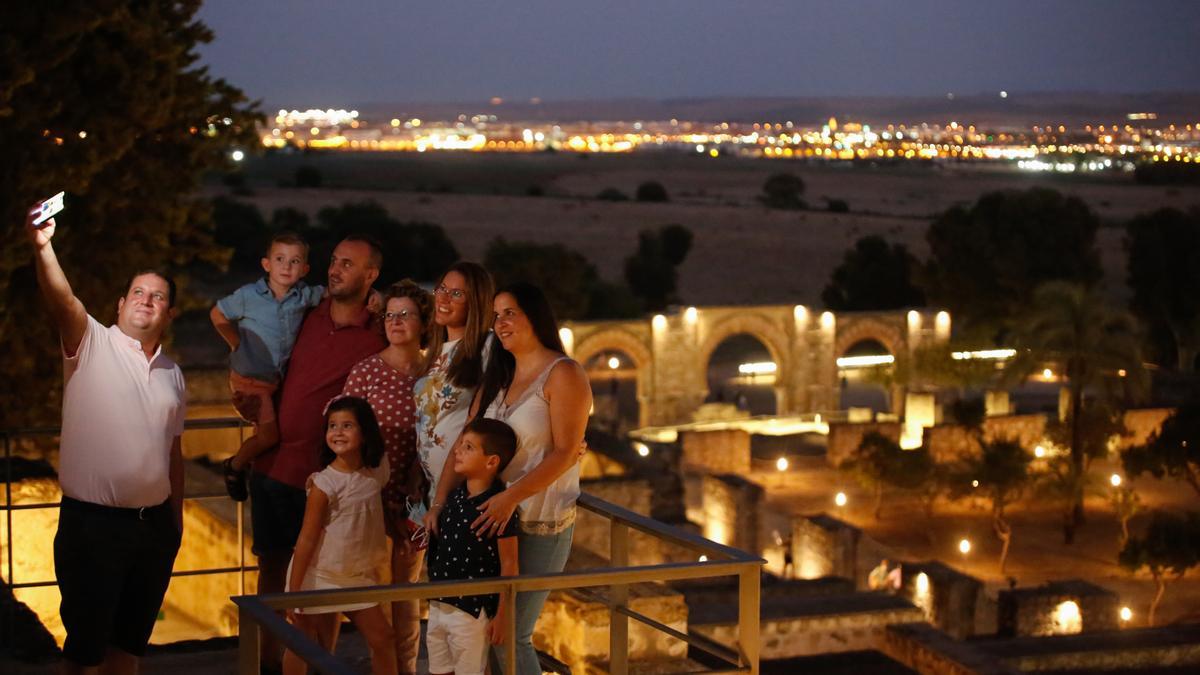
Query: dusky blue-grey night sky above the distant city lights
x=302 y=53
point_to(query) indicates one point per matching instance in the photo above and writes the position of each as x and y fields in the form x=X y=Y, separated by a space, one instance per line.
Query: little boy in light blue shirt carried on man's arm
x=261 y=321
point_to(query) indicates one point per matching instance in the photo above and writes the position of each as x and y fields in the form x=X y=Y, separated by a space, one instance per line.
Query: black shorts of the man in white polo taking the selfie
x=113 y=566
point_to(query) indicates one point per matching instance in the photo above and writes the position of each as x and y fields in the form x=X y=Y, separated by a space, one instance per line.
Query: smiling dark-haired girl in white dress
x=343 y=542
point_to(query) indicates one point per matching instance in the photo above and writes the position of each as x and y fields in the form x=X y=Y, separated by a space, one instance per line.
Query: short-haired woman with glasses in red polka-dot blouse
x=387 y=381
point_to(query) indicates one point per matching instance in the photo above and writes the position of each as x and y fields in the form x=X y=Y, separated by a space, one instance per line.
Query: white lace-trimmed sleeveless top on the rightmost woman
x=551 y=511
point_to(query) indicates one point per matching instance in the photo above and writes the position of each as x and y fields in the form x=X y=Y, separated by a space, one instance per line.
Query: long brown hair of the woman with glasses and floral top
x=467 y=363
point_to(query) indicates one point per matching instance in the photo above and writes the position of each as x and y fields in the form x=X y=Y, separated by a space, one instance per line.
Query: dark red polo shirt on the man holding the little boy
x=321 y=361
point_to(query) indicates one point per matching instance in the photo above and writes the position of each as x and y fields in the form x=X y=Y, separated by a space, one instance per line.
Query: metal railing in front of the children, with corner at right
x=262 y=613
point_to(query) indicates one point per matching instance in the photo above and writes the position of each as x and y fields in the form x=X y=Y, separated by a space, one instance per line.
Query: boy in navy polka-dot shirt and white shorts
x=461 y=629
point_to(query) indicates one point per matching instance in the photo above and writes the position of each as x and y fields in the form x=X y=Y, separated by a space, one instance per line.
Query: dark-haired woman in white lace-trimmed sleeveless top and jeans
x=545 y=397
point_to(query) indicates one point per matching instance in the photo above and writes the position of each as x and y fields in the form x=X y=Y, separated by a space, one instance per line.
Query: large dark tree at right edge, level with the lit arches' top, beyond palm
x=1165 y=277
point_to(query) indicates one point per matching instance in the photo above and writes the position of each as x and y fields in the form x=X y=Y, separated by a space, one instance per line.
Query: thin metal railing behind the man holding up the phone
x=10 y=437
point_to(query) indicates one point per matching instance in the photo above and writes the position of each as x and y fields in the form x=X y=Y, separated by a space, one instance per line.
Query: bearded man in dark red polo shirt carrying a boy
x=337 y=334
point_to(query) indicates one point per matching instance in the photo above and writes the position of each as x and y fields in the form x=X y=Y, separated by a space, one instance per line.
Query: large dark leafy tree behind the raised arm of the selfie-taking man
x=106 y=101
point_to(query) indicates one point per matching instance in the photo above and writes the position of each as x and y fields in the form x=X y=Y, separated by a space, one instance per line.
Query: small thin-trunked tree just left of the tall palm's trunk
x=1003 y=471
